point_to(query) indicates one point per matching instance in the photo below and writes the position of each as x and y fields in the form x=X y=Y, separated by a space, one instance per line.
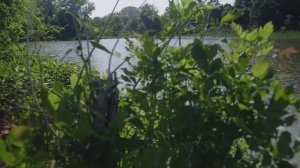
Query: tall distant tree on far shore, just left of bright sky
x=66 y=15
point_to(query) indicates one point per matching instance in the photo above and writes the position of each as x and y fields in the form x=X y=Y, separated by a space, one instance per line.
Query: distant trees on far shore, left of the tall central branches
x=64 y=19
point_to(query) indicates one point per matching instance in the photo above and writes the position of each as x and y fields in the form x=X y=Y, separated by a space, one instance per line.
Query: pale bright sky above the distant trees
x=104 y=7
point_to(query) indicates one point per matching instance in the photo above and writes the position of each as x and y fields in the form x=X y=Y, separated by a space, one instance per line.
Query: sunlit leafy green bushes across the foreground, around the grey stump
x=192 y=106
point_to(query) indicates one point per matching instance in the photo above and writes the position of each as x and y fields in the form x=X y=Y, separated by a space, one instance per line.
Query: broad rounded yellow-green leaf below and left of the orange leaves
x=261 y=68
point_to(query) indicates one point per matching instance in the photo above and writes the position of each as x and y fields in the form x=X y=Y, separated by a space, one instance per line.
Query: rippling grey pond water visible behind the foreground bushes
x=288 y=67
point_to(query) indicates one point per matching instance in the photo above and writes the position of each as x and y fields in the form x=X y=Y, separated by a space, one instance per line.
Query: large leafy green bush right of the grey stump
x=202 y=100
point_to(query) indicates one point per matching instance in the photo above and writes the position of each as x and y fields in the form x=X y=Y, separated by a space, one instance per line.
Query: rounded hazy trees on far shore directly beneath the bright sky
x=137 y=21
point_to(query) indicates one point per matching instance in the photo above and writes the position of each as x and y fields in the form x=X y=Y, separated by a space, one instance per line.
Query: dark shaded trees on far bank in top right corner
x=282 y=13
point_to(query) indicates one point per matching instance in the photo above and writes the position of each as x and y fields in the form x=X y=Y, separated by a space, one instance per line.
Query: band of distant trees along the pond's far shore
x=57 y=17
